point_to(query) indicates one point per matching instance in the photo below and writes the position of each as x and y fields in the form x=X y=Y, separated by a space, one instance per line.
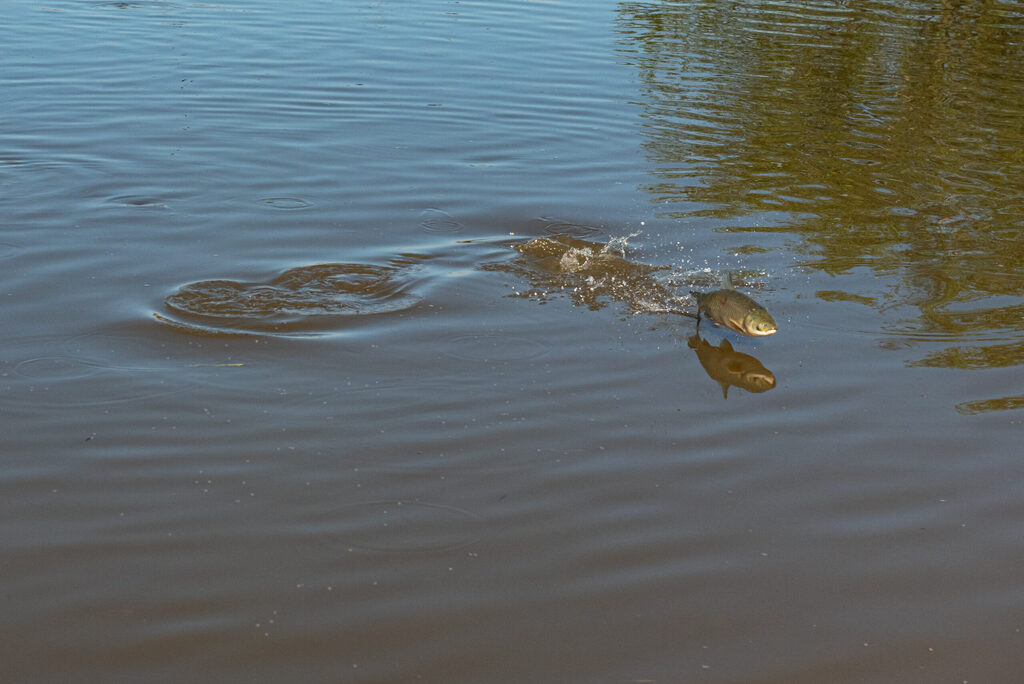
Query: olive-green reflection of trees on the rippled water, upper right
x=887 y=136
